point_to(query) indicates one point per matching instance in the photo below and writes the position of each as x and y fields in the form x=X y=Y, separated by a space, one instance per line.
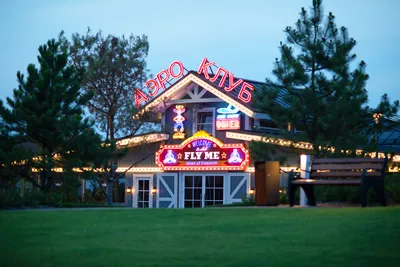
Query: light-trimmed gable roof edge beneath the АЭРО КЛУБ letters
x=213 y=87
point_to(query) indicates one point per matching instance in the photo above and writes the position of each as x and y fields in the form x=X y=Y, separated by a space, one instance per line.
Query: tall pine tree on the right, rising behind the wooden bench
x=316 y=89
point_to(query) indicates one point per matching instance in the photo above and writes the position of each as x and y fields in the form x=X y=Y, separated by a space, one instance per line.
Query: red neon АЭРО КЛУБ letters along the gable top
x=176 y=71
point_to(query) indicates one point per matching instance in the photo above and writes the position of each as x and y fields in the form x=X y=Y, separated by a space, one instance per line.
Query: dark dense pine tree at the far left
x=47 y=110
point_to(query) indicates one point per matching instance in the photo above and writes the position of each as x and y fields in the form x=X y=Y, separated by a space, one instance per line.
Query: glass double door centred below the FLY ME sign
x=203 y=190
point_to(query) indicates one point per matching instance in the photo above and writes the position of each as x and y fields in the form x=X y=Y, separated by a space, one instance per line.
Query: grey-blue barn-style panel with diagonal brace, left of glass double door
x=167 y=184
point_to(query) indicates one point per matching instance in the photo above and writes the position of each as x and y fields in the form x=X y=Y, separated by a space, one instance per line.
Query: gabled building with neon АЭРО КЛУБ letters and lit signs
x=201 y=156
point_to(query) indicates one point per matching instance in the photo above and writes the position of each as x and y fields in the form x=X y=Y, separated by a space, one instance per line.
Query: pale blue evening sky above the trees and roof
x=240 y=35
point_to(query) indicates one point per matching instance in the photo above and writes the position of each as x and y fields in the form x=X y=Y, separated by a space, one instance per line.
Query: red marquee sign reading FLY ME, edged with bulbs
x=203 y=152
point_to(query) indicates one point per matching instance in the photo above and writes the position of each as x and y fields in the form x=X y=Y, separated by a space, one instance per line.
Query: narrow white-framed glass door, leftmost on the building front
x=142 y=197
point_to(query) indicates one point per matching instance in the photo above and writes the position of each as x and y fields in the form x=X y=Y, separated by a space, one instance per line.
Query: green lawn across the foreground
x=202 y=237
